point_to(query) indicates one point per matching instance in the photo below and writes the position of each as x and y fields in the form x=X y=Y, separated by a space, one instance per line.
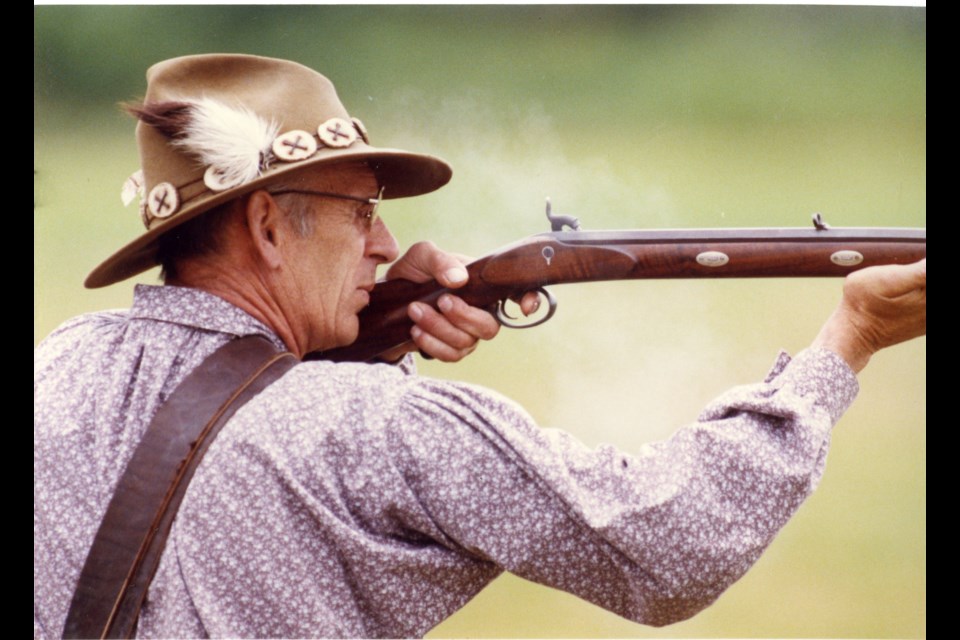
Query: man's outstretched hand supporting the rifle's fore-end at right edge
x=881 y=307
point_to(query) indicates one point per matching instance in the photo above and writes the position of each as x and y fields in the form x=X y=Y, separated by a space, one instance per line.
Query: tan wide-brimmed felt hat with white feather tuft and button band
x=230 y=124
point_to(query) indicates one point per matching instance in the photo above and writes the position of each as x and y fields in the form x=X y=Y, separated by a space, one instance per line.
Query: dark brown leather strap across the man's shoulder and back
x=127 y=549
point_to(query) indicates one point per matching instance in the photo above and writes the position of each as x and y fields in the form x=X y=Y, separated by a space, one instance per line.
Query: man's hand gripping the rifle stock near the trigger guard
x=453 y=332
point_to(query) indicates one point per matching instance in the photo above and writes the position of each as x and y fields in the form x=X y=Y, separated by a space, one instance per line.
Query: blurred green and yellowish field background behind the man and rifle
x=627 y=116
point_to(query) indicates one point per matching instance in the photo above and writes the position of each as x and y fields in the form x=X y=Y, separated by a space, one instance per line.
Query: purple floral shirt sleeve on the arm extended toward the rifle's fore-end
x=654 y=536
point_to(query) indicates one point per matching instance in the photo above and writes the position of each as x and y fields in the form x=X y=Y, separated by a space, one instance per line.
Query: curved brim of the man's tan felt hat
x=401 y=173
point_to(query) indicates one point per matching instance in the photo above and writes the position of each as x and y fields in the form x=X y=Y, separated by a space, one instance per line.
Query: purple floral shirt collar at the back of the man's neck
x=198 y=309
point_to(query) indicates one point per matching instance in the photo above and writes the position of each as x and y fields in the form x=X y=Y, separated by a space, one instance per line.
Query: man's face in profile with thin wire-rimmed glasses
x=332 y=270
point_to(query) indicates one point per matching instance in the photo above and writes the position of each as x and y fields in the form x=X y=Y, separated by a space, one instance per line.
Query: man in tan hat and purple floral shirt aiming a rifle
x=364 y=500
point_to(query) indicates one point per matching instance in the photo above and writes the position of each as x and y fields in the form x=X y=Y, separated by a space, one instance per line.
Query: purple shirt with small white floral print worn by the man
x=352 y=500
